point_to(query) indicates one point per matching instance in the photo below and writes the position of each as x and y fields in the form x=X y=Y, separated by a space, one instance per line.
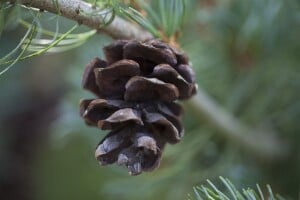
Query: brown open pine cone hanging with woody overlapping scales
x=136 y=88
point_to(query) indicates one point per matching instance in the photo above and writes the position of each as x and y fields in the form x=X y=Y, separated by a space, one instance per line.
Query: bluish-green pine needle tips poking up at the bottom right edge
x=212 y=192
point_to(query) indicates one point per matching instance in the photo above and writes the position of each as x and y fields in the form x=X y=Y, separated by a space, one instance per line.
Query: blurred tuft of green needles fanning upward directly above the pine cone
x=163 y=19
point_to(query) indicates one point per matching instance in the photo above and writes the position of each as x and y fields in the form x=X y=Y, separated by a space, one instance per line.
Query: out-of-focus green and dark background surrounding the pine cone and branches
x=247 y=57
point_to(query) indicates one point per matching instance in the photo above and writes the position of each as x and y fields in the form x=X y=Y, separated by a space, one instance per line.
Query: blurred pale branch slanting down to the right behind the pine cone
x=262 y=144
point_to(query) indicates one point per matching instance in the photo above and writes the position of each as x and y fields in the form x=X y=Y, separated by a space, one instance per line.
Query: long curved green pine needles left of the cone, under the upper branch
x=38 y=40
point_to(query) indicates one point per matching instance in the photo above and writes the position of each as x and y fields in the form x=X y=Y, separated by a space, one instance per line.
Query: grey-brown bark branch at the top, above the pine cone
x=76 y=9
